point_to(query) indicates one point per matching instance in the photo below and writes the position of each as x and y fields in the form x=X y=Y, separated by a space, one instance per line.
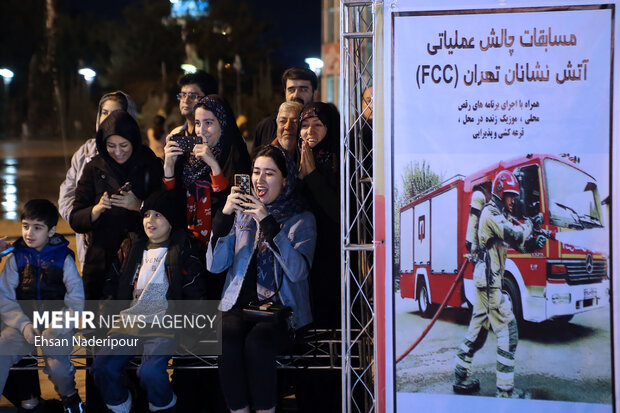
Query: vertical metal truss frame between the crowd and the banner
x=357 y=51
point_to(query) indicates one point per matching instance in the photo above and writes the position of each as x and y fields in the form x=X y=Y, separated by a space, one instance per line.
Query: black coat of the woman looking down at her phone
x=114 y=225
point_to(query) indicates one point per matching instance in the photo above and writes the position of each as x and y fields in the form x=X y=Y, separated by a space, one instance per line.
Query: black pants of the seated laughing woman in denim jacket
x=247 y=365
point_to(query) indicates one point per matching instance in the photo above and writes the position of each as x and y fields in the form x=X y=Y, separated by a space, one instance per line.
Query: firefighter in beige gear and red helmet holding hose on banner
x=496 y=230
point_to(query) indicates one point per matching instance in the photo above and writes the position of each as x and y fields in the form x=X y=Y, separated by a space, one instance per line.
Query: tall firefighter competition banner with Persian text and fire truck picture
x=499 y=128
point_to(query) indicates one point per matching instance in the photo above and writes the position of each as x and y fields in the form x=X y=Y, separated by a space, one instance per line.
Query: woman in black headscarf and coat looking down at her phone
x=109 y=194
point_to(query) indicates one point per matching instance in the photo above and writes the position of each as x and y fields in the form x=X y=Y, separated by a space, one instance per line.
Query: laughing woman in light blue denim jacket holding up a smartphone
x=265 y=242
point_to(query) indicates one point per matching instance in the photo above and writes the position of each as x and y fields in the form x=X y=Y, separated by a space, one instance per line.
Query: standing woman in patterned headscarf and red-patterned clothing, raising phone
x=206 y=172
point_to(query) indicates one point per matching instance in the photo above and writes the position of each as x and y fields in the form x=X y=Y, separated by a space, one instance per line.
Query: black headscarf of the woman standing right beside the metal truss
x=326 y=152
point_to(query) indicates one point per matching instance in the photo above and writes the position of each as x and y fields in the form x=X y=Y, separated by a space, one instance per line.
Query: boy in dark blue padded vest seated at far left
x=41 y=268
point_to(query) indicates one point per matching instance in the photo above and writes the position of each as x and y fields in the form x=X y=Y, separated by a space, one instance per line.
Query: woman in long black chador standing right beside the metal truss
x=319 y=171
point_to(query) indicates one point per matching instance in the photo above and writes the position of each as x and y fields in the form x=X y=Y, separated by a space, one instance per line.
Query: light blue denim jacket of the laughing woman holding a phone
x=295 y=242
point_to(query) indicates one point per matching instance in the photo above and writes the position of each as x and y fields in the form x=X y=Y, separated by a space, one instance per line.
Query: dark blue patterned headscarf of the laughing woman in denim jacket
x=283 y=207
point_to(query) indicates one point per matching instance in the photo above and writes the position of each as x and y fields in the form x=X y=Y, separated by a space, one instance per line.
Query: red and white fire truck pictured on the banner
x=553 y=283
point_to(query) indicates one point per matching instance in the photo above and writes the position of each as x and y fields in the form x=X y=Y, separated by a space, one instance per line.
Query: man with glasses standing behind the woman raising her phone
x=193 y=87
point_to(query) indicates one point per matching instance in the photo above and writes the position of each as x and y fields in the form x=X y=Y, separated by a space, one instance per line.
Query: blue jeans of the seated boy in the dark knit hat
x=108 y=372
